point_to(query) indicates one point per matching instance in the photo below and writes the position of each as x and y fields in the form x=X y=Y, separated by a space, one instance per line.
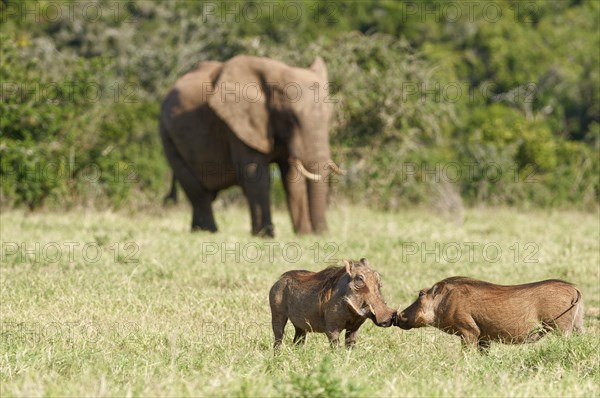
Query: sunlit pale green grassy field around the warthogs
x=107 y=304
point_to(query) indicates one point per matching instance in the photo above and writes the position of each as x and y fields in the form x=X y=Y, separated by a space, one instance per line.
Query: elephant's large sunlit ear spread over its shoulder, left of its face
x=240 y=100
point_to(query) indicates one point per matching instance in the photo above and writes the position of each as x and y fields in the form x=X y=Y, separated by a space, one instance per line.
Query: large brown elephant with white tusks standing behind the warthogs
x=223 y=124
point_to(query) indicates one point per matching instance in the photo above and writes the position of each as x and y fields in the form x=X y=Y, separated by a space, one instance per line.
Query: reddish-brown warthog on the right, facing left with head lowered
x=480 y=312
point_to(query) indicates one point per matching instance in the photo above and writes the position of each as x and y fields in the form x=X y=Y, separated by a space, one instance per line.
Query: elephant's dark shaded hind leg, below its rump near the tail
x=201 y=199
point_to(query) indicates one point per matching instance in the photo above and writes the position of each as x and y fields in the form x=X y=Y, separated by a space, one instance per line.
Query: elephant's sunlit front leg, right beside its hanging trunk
x=297 y=198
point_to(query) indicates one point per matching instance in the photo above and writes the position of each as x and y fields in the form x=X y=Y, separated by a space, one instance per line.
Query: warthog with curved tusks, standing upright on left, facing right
x=328 y=301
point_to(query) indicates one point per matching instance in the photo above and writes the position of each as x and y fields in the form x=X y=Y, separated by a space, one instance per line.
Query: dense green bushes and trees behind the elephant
x=437 y=102
